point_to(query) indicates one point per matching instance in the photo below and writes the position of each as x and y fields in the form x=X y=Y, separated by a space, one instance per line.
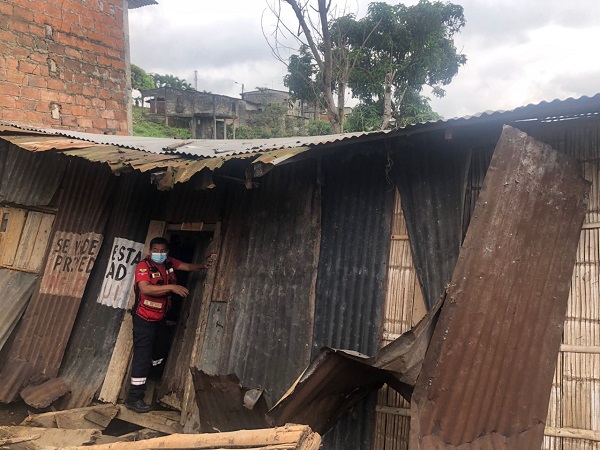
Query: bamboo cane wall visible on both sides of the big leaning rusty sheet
x=573 y=421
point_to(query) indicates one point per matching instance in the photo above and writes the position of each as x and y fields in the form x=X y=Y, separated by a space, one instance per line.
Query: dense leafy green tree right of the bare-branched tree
x=410 y=47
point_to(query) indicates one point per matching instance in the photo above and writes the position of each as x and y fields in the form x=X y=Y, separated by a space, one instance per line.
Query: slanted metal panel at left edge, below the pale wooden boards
x=17 y=288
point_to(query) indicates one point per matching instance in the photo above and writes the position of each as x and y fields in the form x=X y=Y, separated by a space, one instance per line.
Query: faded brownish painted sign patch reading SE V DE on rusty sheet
x=70 y=261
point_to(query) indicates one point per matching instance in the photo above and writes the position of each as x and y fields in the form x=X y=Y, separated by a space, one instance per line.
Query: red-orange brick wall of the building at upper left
x=62 y=64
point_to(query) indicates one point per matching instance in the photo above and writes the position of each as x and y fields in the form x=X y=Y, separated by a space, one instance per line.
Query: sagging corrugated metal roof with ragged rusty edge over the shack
x=184 y=158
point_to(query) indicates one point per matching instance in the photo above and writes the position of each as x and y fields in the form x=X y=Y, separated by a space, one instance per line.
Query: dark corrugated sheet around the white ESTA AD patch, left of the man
x=95 y=331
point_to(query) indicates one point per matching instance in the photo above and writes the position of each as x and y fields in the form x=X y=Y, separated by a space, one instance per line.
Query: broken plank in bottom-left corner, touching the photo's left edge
x=48 y=437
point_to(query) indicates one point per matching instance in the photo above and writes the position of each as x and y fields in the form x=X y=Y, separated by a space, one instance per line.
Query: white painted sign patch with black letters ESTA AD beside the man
x=120 y=273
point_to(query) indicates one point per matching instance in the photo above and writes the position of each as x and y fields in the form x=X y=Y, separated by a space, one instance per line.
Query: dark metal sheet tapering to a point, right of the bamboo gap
x=430 y=173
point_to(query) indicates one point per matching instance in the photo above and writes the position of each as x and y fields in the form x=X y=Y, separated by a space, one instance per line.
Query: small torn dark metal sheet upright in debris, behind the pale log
x=225 y=405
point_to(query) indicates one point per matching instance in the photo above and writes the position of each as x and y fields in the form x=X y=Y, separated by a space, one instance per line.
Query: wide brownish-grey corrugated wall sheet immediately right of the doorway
x=266 y=272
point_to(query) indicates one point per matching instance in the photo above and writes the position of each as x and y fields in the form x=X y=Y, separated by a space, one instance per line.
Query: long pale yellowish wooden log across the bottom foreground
x=288 y=437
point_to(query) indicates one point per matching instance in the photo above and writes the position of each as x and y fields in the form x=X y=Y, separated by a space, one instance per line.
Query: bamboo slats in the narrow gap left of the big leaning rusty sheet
x=404 y=307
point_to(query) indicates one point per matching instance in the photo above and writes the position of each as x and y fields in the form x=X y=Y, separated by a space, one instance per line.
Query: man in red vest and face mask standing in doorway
x=155 y=281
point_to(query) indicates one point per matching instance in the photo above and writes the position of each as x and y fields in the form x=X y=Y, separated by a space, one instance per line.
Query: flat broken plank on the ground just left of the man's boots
x=71 y=418
